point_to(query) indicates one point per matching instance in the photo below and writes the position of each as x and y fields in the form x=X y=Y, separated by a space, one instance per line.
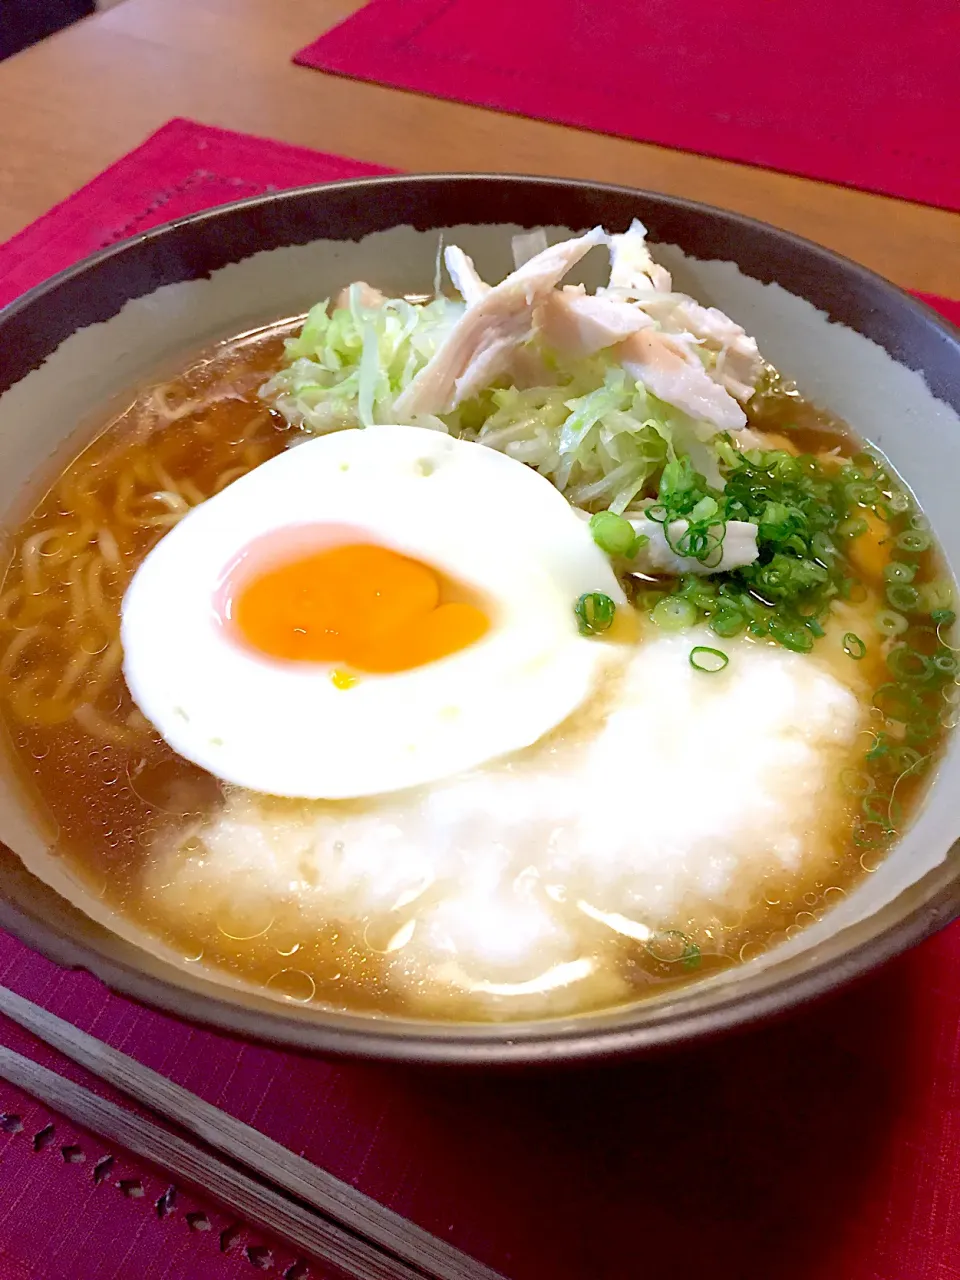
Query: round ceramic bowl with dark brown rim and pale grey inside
x=854 y=344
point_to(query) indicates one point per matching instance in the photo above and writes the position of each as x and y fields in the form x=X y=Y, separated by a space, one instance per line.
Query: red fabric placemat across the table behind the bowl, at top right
x=863 y=93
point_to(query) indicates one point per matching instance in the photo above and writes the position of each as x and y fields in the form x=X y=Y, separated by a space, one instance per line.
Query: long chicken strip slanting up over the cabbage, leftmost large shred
x=482 y=344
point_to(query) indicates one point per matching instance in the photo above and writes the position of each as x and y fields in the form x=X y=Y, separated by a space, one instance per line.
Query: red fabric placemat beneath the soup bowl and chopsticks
x=824 y=1149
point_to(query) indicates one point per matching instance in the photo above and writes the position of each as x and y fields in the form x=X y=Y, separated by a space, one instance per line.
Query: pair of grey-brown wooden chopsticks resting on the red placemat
x=268 y=1185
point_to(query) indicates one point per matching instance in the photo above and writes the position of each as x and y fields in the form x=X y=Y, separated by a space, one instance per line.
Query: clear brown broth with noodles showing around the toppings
x=112 y=793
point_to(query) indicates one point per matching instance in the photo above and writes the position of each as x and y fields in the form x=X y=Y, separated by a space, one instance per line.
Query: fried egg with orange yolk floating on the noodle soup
x=369 y=611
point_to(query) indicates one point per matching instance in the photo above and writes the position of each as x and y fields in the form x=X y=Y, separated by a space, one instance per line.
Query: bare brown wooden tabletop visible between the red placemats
x=74 y=104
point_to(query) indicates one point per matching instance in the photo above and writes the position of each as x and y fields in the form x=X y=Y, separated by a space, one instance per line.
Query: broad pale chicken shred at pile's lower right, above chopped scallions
x=670 y=367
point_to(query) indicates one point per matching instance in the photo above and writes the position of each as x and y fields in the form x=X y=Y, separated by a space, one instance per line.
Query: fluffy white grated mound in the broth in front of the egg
x=679 y=802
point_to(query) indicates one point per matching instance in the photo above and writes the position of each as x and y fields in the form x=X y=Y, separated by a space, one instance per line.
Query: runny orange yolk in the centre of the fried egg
x=359 y=605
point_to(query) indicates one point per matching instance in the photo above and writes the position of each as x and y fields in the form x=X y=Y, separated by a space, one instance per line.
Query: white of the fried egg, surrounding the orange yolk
x=286 y=729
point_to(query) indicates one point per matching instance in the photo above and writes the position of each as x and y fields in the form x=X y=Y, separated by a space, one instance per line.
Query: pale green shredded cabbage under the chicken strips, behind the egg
x=601 y=437
